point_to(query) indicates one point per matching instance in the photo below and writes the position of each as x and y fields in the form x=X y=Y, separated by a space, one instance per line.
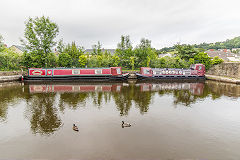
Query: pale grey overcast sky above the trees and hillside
x=164 y=22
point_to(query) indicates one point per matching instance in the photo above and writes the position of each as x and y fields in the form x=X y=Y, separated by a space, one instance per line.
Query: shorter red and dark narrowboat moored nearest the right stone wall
x=196 y=71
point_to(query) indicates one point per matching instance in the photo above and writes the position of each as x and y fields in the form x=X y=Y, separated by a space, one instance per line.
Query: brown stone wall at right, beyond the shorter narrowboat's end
x=228 y=69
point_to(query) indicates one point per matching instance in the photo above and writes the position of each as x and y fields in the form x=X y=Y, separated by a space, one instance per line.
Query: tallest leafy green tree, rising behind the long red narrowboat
x=40 y=33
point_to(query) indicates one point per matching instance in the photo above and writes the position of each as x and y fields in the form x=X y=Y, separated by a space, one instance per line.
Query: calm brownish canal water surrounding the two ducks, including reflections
x=169 y=121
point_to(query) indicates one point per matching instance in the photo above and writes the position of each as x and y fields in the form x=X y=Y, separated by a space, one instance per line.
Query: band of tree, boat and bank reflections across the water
x=45 y=102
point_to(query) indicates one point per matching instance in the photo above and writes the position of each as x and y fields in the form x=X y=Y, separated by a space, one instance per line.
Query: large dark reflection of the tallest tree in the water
x=43 y=114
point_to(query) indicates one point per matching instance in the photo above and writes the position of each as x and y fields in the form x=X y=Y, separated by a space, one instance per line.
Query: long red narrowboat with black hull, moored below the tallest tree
x=75 y=74
